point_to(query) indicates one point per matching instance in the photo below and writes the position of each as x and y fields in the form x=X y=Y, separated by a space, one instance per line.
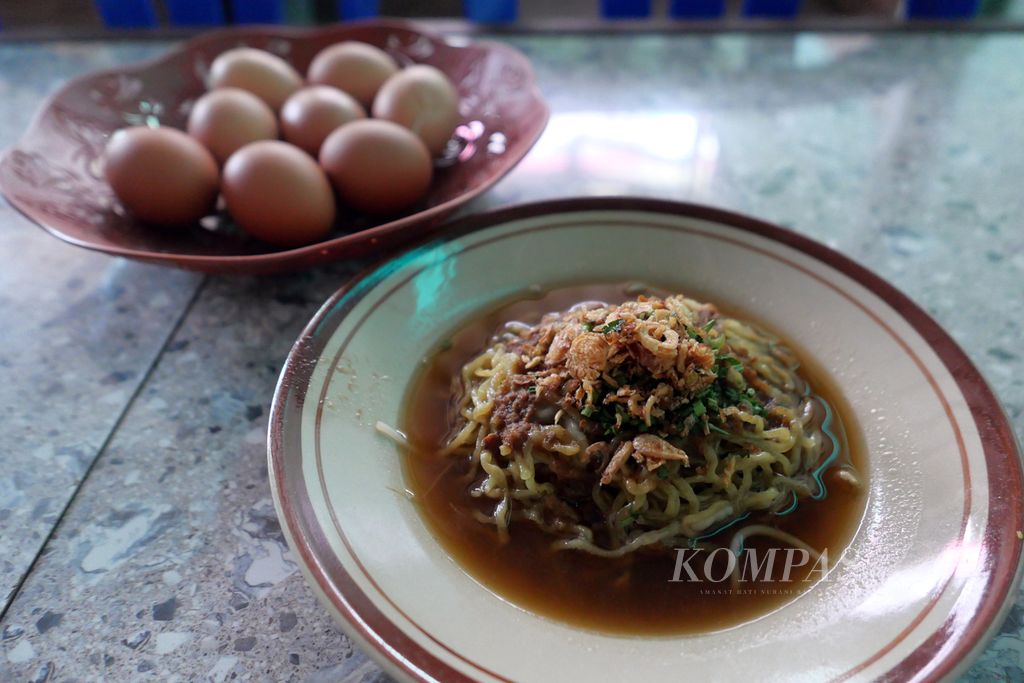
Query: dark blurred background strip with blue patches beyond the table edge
x=70 y=18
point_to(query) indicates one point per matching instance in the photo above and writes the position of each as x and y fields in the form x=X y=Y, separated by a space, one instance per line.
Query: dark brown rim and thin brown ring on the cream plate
x=1002 y=560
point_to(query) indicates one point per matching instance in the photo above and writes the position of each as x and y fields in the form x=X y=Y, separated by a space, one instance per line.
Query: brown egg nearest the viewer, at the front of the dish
x=278 y=194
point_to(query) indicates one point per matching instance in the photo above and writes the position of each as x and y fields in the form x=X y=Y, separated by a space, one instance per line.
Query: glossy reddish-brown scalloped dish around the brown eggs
x=55 y=175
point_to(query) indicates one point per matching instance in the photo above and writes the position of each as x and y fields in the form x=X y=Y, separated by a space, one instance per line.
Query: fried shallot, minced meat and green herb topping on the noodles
x=653 y=365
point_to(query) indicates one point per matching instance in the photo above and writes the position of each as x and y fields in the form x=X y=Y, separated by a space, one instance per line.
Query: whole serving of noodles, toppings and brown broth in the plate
x=603 y=467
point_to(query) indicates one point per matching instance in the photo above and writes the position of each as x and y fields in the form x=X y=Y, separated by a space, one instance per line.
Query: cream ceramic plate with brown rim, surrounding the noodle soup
x=922 y=585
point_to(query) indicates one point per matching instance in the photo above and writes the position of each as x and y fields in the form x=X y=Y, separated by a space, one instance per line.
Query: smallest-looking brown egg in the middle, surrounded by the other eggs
x=314 y=113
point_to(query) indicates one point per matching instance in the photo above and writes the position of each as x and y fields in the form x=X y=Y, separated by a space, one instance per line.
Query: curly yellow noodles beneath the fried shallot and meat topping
x=758 y=465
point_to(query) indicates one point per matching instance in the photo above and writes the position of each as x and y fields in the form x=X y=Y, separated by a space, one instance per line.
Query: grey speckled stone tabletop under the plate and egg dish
x=138 y=537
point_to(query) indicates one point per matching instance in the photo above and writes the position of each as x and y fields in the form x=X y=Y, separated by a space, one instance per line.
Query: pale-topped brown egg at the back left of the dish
x=267 y=76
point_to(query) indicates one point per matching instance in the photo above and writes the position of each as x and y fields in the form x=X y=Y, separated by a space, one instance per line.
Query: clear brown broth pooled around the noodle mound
x=629 y=595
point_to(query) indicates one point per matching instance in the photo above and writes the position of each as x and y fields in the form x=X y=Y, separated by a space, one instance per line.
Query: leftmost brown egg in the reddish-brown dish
x=161 y=175
